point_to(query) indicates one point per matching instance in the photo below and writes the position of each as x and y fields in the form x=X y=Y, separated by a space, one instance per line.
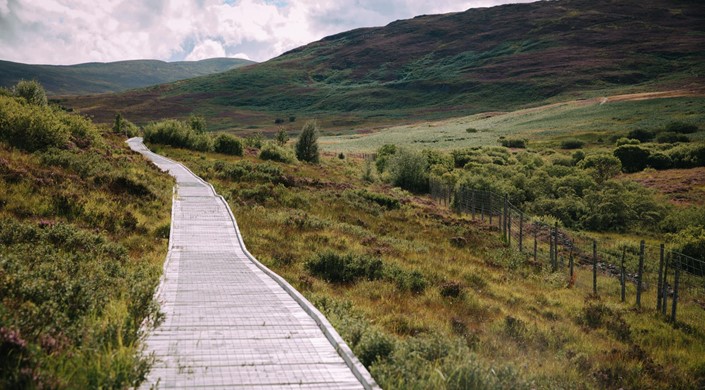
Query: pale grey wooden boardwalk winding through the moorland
x=229 y=321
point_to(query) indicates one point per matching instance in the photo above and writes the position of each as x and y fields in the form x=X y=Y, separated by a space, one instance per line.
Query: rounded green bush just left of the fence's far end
x=408 y=170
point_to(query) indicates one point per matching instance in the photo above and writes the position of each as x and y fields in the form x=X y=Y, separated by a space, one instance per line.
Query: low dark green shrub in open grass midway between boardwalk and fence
x=336 y=268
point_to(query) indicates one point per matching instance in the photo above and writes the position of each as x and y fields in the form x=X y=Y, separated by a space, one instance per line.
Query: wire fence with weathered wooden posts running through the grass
x=654 y=276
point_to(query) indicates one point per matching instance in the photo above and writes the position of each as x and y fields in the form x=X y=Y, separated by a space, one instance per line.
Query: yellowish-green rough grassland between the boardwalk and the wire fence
x=439 y=314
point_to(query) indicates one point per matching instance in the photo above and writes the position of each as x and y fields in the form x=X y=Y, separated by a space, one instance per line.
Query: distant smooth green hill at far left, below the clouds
x=119 y=76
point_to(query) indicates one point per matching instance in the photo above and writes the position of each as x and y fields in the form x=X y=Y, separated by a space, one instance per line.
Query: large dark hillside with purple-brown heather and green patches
x=486 y=59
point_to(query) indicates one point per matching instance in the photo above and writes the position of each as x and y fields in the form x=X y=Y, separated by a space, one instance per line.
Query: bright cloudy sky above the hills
x=65 y=32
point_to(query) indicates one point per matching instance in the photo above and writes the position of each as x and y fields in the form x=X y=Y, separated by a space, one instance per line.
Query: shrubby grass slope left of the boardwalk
x=83 y=229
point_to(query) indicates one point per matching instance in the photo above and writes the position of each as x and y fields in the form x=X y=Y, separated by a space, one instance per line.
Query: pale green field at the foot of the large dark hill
x=542 y=126
